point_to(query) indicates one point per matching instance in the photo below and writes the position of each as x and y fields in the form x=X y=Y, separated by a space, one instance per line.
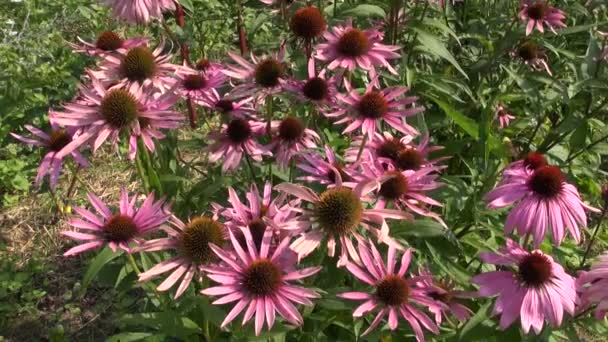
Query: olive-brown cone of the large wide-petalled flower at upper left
x=119 y=108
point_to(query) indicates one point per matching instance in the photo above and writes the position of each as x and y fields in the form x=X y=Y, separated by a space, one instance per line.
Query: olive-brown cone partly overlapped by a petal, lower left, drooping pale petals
x=196 y=237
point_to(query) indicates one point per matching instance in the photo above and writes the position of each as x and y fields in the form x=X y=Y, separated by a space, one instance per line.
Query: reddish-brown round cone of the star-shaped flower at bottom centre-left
x=262 y=278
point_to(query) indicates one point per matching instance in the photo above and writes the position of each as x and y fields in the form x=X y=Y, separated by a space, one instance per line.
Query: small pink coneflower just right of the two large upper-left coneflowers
x=196 y=84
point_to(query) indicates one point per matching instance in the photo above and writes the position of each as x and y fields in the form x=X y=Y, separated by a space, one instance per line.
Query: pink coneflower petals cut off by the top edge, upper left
x=138 y=12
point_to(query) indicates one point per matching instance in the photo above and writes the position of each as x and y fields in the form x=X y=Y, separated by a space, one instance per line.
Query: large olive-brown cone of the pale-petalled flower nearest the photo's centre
x=338 y=211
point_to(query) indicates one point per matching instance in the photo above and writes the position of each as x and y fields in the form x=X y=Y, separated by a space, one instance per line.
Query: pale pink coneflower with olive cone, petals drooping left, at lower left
x=192 y=242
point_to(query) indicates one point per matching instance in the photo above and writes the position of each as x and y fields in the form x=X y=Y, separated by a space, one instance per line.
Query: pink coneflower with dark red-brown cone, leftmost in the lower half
x=119 y=229
